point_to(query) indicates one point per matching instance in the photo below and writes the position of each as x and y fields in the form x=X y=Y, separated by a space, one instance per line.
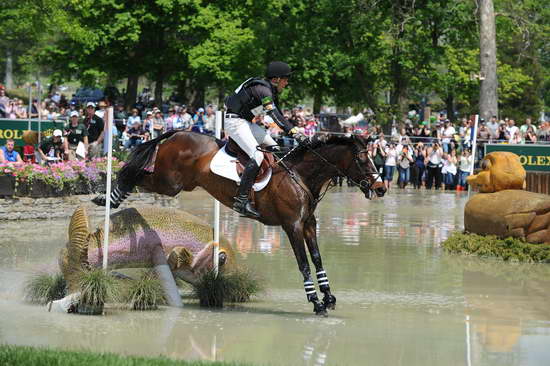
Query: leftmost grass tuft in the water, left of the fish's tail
x=45 y=287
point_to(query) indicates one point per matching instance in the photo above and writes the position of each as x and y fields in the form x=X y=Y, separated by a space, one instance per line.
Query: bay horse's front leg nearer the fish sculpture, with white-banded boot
x=296 y=237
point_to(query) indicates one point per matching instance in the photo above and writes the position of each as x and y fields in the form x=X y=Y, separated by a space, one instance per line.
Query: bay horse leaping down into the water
x=182 y=162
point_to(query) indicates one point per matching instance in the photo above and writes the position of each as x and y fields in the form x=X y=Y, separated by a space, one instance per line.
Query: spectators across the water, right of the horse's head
x=438 y=154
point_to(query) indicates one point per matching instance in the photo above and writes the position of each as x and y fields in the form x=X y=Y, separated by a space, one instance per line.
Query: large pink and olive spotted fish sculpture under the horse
x=173 y=242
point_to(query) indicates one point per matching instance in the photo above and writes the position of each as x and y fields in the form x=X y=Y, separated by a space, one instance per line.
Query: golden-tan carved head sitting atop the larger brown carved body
x=501 y=170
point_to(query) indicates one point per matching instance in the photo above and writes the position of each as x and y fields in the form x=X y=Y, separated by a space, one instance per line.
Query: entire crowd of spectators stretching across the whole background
x=431 y=154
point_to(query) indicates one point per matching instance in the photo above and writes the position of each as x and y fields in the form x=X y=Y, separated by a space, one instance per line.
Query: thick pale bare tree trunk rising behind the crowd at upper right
x=488 y=98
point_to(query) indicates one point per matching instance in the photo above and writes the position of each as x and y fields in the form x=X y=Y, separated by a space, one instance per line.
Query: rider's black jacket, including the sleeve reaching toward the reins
x=257 y=96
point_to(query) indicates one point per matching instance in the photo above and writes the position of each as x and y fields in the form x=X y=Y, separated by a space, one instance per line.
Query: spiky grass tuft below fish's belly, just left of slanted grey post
x=145 y=293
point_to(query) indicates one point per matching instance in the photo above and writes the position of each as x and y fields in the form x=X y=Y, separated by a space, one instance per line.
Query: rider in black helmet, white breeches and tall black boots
x=255 y=97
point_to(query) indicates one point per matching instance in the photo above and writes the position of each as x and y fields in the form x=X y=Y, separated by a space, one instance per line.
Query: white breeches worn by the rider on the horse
x=248 y=136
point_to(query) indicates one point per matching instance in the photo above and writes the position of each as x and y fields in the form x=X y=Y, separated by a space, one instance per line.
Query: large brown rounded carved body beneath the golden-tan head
x=506 y=213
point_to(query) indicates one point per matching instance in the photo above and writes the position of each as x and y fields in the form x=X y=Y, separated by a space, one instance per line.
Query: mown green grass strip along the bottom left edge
x=30 y=356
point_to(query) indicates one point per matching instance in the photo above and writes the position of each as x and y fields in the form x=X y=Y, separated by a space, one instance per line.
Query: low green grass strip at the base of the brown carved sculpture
x=509 y=249
